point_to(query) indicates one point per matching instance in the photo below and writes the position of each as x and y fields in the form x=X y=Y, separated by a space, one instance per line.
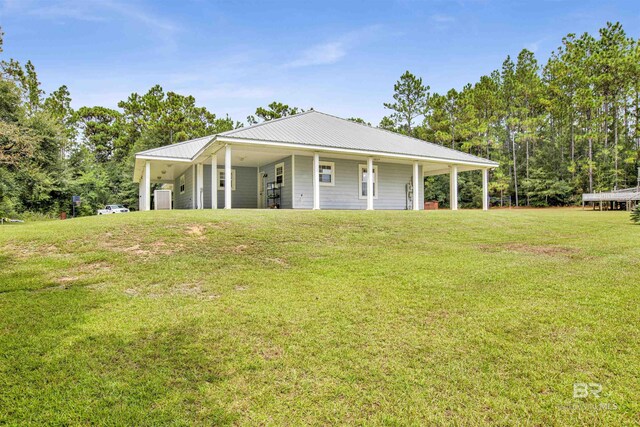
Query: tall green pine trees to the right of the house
x=560 y=129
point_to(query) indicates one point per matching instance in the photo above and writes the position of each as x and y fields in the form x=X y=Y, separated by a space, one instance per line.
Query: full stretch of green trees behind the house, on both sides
x=558 y=130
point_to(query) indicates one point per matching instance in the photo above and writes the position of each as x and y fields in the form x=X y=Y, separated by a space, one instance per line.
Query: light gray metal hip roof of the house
x=313 y=128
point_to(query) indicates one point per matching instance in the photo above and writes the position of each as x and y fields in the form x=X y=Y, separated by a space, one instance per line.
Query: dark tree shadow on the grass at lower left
x=54 y=370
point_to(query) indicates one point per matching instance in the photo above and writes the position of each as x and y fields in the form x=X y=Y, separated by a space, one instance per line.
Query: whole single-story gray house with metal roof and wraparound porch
x=310 y=160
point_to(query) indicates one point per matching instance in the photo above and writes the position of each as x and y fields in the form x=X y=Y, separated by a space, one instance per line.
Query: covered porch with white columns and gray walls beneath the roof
x=306 y=178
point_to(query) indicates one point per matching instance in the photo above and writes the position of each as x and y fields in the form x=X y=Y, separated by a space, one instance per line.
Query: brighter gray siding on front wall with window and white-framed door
x=345 y=193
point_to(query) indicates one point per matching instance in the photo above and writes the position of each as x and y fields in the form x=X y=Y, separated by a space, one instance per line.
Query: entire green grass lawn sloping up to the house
x=292 y=318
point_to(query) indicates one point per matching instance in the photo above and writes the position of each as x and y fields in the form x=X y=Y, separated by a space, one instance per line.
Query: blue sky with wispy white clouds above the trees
x=339 y=57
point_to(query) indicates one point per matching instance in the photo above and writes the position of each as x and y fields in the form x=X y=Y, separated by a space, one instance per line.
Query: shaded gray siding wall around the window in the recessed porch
x=244 y=196
